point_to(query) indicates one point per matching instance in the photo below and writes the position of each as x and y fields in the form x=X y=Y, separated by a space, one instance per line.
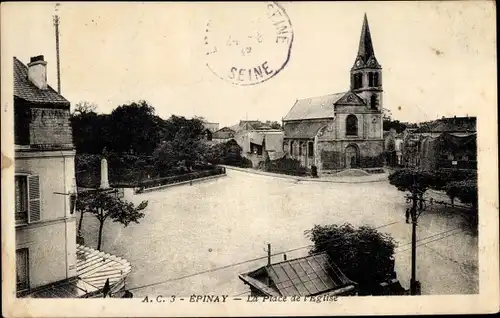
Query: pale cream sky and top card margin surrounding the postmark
x=438 y=58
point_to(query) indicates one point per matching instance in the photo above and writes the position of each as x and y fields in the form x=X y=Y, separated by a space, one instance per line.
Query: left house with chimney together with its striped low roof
x=49 y=262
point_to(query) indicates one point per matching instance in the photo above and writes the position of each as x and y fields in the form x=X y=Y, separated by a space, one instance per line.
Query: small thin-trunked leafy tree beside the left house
x=106 y=206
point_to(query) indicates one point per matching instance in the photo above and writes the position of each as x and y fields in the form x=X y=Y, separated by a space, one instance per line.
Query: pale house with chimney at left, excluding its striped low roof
x=44 y=180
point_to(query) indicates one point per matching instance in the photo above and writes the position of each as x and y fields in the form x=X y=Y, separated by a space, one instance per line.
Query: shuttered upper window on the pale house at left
x=27 y=191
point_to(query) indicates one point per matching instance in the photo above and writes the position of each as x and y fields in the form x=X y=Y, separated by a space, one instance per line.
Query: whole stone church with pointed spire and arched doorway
x=341 y=130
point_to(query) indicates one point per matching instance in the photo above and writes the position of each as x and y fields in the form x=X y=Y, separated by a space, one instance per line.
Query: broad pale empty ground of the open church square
x=200 y=228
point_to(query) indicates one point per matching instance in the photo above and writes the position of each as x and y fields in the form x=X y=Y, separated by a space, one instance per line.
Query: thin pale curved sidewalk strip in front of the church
x=379 y=177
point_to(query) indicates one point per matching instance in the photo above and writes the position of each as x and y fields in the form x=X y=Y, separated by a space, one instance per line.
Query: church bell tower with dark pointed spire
x=366 y=73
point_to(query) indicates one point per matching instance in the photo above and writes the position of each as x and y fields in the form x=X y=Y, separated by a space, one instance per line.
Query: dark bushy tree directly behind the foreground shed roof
x=363 y=254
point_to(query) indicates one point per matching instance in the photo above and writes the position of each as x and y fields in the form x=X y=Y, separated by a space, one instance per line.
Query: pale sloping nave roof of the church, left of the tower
x=314 y=107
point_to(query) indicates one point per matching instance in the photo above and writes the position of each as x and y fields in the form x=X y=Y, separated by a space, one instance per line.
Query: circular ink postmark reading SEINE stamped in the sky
x=248 y=44
